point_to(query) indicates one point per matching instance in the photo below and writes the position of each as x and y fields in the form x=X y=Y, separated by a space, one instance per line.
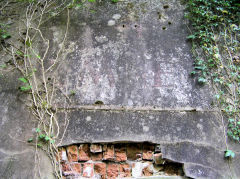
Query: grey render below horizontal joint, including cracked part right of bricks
x=193 y=138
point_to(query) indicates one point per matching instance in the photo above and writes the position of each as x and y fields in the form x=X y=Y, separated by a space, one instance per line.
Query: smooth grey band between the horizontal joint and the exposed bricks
x=156 y=127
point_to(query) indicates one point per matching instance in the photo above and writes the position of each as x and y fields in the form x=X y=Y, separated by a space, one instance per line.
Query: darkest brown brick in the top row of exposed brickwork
x=134 y=151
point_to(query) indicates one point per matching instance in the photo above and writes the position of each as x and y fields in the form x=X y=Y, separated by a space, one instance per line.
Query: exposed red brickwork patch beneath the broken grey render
x=115 y=161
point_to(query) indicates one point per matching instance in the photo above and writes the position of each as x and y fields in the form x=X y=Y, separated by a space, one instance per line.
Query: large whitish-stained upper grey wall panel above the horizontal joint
x=131 y=61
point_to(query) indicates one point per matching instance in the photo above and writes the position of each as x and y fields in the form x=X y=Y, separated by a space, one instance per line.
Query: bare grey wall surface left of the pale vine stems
x=17 y=157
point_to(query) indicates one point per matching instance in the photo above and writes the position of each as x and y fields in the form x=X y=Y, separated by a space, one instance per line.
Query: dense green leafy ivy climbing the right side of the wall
x=215 y=36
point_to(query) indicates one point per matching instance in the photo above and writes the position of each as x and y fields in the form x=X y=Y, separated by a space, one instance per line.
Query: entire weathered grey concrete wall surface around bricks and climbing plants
x=133 y=57
